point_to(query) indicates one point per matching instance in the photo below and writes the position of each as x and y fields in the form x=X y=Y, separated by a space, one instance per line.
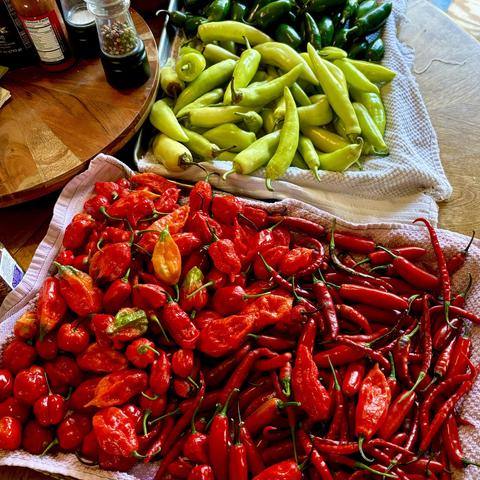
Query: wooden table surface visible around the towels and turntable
x=451 y=93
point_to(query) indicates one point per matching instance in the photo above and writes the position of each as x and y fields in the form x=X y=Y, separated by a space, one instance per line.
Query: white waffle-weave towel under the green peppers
x=395 y=188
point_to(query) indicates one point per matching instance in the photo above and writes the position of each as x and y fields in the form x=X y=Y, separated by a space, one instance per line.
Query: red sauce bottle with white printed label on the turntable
x=43 y=22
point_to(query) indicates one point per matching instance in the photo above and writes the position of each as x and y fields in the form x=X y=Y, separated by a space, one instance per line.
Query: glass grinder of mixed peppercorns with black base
x=122 y=52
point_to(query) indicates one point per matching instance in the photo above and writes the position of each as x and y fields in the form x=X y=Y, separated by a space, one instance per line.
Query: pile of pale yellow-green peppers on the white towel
x=269 y=106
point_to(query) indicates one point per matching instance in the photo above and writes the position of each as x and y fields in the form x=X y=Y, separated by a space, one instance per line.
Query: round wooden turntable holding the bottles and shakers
x=56 y=122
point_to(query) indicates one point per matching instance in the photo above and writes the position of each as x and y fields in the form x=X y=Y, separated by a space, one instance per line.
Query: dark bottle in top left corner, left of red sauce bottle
x=16 y=49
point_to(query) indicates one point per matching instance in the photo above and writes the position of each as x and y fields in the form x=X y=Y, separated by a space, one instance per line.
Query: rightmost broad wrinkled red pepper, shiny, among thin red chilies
x=373 y=403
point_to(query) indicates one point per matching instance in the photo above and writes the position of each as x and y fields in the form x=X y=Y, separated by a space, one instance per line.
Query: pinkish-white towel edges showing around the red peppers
x=105 y=168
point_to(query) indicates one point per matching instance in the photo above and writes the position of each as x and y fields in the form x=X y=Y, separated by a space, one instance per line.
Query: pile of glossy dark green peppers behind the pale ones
x=353 y=25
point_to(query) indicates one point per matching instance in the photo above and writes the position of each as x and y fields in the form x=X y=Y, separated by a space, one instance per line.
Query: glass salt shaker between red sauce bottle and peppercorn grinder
x=81 y=28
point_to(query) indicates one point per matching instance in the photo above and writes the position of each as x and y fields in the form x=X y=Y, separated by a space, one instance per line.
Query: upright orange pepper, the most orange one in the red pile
x=166 y=259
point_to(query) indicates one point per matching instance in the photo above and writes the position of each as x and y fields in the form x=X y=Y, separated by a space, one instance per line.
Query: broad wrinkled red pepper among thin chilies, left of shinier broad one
x=307 y=388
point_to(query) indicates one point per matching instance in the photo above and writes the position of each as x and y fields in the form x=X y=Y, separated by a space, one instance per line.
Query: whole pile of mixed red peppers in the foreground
x=195 y=331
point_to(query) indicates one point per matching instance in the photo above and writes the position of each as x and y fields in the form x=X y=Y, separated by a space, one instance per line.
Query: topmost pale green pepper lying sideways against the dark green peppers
x=230 y=30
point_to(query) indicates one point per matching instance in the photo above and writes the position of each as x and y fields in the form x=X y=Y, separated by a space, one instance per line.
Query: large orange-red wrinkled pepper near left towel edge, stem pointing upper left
x=78 y=290
